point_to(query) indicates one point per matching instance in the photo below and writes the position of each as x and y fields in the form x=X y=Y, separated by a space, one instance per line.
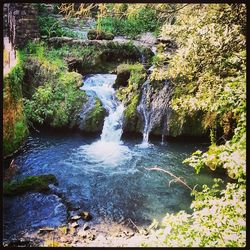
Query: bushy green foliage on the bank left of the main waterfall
x=58 y=97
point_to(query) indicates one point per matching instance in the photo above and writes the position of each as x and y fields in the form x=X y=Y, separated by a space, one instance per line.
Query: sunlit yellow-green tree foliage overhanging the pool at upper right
x=208 y=68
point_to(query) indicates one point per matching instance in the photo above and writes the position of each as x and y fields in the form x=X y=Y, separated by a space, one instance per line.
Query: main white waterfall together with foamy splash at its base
x=109 y=148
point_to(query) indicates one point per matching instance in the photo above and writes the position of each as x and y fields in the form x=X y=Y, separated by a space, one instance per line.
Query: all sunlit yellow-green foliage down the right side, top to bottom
x=209 y=73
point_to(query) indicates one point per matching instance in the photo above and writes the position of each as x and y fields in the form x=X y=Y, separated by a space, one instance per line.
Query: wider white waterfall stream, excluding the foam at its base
x=101 y=86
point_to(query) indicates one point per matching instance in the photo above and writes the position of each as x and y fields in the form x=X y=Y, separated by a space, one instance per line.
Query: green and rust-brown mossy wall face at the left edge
x=15 y=128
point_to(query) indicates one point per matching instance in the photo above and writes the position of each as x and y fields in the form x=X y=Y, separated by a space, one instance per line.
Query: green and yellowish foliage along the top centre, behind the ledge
x=120 y=19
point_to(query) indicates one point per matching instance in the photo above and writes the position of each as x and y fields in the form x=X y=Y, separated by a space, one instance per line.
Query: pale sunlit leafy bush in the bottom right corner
x=218 y=220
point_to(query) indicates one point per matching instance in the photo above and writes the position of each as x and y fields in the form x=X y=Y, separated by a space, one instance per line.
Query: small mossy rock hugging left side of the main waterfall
x=95 y=119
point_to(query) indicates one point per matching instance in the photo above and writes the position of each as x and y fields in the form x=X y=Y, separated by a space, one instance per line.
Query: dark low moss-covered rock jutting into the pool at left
x=29 y=184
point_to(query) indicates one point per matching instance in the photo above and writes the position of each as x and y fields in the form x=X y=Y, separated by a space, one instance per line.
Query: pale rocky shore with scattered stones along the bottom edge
x=101 y=235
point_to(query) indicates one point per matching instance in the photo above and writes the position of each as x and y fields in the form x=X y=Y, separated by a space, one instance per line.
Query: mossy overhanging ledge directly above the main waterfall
x=96 y=57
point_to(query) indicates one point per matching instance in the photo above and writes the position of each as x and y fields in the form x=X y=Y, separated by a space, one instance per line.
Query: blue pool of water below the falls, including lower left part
x=108 y=179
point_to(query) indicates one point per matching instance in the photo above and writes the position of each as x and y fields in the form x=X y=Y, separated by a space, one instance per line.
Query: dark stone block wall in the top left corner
x=20 y=22
